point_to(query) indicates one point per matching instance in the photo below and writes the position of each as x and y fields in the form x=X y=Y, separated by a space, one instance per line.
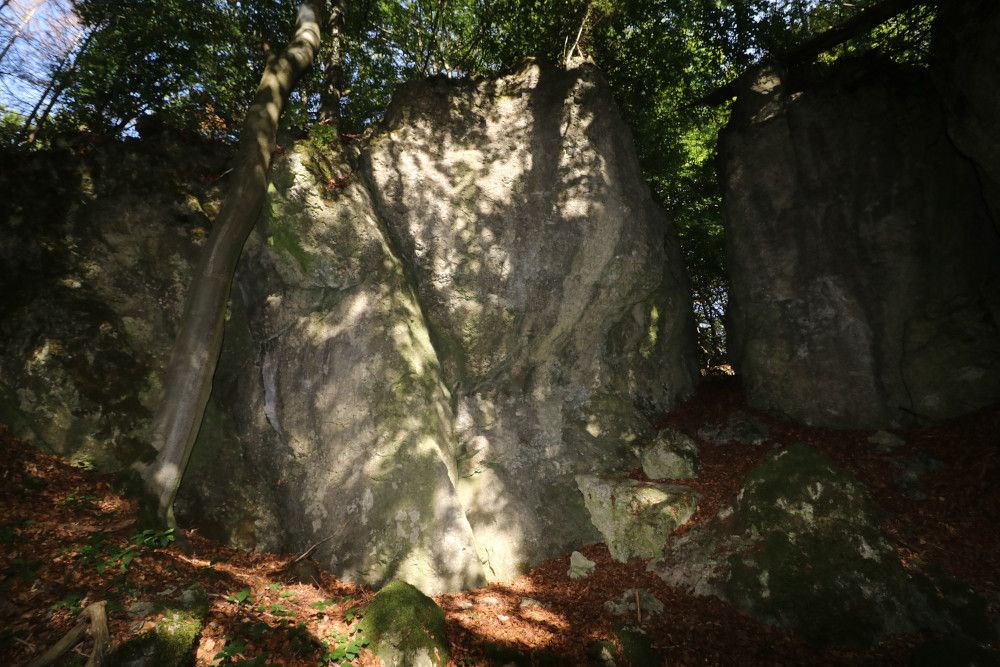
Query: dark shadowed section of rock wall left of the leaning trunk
x=95 y=254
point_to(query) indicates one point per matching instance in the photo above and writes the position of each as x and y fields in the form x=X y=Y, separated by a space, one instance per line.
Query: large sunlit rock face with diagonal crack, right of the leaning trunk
x=432 y=364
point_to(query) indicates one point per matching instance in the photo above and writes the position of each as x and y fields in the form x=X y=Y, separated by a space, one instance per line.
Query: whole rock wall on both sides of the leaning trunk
x=419 y=357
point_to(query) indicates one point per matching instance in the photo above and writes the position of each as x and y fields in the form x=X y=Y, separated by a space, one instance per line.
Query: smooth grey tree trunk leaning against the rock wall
x=188 y=380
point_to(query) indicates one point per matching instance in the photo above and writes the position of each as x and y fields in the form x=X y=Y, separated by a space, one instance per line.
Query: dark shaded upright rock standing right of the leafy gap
x=864 y=264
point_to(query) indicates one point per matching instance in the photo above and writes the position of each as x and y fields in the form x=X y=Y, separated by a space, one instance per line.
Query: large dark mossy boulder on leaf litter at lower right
x=802 y=549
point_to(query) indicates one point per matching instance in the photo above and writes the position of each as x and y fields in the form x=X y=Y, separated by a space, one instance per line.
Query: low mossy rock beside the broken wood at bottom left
x=172 y=640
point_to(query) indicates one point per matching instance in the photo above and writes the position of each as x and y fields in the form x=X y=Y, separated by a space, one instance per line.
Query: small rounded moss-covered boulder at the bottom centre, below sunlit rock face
x=405 y=627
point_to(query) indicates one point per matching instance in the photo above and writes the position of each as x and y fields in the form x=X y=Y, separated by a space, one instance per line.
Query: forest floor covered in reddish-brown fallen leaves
x=68 y=538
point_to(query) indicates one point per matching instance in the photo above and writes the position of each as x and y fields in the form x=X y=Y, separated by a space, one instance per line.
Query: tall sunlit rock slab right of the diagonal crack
x=539 y=259
